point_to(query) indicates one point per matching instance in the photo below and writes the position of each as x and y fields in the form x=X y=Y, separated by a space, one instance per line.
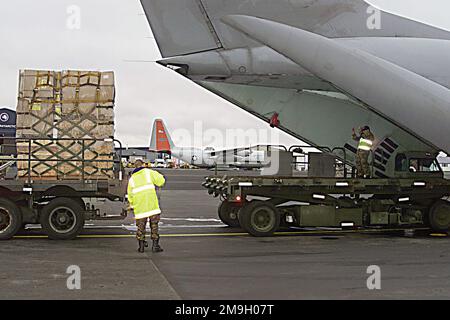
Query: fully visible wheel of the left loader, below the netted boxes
x=66 y=209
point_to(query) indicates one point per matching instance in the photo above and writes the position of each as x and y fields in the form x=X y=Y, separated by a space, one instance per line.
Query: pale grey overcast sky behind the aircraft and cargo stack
x=33 y=35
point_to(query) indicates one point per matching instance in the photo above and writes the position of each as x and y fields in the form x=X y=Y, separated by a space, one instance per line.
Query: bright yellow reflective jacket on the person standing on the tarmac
x=142 y=193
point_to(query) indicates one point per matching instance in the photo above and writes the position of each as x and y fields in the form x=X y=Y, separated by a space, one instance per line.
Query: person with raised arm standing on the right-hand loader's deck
x=365 y=139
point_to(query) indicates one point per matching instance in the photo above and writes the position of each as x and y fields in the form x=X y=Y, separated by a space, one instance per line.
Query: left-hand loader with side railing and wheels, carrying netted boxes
x=61 y=203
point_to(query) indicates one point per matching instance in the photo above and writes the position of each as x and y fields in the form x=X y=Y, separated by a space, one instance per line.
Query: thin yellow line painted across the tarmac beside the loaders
x=229 y=234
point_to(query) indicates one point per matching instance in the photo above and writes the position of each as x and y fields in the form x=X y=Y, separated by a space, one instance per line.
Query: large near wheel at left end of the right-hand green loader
x=259 y=218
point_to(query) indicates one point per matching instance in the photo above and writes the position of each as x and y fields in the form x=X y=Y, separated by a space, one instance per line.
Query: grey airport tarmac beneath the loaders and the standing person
x=203 y=259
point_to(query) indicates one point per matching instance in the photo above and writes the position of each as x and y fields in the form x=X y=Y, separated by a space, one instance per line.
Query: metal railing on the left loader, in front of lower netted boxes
x=51 y=153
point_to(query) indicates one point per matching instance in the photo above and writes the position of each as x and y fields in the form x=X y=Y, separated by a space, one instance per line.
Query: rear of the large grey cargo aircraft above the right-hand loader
x=323 y=67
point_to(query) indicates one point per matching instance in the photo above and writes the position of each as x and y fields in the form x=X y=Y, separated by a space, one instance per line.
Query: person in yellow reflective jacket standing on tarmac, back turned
x=144 y=203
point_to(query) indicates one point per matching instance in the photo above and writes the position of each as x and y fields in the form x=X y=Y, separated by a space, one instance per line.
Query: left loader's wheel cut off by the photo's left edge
x=10 y=220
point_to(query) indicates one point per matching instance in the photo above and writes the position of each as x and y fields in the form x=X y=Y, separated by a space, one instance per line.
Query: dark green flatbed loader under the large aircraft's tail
x=346 y=202
